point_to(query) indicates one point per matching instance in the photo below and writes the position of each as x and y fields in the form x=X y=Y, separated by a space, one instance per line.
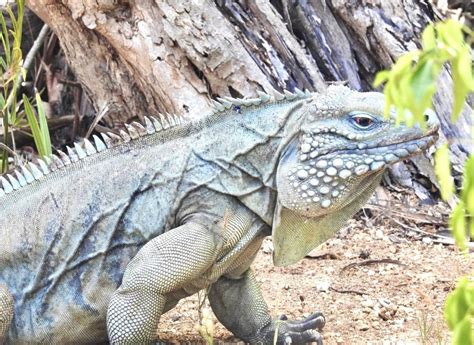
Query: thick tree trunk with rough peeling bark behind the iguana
x=140 y=57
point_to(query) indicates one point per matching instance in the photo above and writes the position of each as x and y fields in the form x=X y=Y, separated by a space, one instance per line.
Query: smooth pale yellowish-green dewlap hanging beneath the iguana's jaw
x=294 y=235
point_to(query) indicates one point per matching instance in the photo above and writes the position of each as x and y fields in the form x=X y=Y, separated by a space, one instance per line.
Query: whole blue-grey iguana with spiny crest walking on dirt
x=98 y=243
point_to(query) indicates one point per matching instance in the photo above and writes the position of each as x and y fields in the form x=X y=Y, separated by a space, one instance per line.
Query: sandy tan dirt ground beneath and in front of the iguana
x=382 y=279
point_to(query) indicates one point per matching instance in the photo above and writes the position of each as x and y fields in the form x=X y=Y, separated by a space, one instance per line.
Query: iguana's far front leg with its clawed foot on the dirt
x=240 y=307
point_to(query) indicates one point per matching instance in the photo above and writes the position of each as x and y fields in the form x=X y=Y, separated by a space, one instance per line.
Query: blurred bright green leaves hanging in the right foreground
x=409 y=88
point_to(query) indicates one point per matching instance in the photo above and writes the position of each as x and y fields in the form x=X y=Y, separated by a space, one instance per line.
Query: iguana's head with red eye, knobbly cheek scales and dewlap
x=339 y=148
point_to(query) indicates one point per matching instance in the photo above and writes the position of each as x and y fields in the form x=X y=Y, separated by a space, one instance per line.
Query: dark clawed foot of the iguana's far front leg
x=293 y=332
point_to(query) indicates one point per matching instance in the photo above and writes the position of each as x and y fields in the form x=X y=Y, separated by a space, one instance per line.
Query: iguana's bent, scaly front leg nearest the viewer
x=163 y=265
